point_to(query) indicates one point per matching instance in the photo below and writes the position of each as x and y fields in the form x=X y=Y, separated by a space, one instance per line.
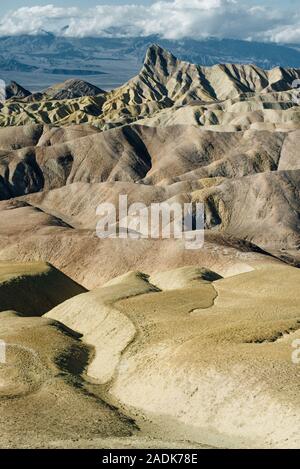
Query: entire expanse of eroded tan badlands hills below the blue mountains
x=142 y=343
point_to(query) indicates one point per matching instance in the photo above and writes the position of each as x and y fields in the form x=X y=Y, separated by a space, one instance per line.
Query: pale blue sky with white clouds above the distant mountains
x=265 y=20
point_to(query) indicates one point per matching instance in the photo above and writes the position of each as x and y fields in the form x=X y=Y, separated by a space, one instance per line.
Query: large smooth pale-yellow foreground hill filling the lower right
x=184 y=358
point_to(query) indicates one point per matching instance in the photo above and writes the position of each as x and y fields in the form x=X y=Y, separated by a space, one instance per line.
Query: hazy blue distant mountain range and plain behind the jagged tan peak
x=109 y=62
